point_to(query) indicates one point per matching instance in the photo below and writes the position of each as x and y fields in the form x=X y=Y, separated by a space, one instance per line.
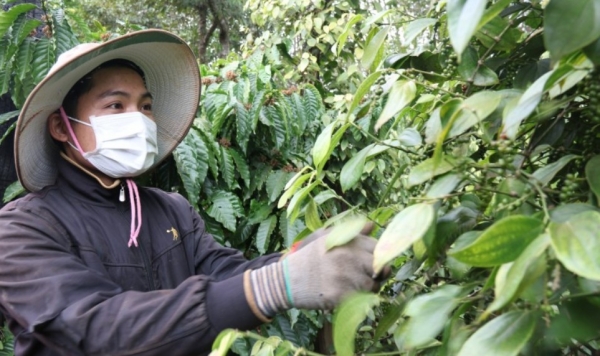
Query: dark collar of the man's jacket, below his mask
x=84 y=185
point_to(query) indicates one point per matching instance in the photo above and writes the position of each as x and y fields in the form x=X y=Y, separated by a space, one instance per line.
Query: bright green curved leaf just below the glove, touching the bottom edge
x=346 y=319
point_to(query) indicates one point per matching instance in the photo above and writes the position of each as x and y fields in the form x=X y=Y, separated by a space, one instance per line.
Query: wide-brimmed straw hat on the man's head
x=171 y=75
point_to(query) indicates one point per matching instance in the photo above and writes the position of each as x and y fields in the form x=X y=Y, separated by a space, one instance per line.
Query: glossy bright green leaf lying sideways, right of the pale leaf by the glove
x=500 y=243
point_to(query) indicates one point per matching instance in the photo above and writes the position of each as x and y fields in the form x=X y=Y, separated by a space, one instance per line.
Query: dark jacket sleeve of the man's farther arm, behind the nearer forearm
x=218 y=261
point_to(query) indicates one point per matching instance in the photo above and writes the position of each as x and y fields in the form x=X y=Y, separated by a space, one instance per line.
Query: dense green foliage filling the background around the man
x=467 y=130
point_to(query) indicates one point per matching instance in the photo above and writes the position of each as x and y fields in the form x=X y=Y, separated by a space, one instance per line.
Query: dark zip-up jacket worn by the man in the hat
x=70 y=285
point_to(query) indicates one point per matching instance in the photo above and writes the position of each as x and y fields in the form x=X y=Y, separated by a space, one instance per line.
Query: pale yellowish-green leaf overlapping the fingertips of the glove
x=407 y=227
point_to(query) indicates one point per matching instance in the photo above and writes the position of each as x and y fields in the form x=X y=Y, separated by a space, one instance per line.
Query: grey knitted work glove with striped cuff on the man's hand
x=312 y=277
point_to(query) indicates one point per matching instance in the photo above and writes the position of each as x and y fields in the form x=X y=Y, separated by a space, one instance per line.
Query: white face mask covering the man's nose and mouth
x=126 y=144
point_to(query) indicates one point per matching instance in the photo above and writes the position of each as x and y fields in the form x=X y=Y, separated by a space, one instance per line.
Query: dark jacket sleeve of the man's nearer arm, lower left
x=57 y=299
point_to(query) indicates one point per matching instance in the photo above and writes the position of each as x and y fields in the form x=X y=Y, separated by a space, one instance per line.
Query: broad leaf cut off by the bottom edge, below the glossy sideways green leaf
x=504 y=336
